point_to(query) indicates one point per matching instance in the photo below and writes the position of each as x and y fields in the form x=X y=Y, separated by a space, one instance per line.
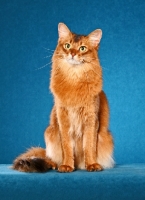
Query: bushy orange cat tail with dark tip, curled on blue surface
x=34 y=160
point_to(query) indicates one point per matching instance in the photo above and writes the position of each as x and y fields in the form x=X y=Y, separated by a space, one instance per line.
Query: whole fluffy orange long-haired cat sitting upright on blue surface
x=78 y=136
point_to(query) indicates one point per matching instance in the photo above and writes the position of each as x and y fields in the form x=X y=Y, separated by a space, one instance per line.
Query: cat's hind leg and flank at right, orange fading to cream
x=105 y=144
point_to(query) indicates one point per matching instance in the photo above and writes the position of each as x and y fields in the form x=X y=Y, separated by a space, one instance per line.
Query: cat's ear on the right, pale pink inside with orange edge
x=95 y=37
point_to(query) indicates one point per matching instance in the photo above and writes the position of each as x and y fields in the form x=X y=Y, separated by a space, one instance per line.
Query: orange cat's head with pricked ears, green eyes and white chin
x=77 y=49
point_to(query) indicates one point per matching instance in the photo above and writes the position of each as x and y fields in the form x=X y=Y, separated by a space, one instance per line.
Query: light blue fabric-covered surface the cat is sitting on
x=124 y=182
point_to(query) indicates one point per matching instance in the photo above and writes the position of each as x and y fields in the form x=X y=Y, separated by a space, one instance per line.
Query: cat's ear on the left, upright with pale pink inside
x=63 y=30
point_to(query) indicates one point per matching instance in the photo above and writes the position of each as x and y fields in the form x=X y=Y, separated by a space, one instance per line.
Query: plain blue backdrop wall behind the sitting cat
x=29 y=28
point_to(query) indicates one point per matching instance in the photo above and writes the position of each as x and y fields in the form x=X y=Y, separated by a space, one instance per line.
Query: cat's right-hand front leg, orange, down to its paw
x=89 y=142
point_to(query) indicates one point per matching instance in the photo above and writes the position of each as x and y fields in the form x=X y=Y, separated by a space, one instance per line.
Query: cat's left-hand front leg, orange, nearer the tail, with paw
x=66 y=140
